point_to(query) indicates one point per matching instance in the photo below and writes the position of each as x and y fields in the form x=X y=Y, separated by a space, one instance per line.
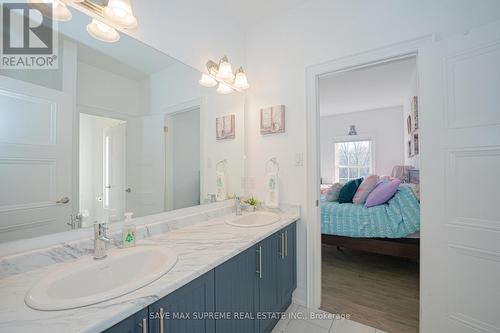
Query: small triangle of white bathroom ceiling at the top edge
x=247 y=13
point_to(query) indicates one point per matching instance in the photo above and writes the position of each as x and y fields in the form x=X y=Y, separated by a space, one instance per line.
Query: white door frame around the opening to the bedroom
x=401 y=50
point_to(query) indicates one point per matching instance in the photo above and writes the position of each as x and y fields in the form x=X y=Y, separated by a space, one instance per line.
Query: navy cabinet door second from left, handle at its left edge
x=180 y=312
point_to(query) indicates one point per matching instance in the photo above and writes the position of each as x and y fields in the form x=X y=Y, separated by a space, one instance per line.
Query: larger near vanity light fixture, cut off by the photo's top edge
x=106 y=16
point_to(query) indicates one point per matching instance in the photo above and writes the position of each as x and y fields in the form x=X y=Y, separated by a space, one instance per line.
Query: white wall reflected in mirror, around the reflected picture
x=181 y=83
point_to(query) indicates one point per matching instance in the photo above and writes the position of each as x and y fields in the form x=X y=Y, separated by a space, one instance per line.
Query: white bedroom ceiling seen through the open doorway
x=368 y=88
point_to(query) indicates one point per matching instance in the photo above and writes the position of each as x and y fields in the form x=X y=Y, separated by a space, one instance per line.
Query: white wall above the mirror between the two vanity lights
x=192 y=31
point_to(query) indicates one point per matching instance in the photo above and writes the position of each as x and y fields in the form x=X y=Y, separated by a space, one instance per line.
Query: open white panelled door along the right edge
x=460 y=164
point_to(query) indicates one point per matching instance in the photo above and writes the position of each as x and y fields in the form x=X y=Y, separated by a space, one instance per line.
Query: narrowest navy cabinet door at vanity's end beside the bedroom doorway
x=289 y=265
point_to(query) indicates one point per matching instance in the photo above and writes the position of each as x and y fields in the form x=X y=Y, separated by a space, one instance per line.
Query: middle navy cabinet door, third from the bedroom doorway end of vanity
x=236 y=292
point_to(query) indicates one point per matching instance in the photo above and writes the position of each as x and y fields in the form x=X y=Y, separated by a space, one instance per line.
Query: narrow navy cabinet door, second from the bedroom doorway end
x=269 y=291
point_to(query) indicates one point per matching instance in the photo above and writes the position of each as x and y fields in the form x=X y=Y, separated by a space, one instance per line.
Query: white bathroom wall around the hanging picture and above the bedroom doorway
x=279 y=50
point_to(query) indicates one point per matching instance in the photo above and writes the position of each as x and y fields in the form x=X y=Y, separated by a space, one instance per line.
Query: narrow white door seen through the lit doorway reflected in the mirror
x=114 y=171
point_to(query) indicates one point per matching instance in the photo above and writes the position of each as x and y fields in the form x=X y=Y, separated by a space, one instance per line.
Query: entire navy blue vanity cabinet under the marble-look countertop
x=246 y=294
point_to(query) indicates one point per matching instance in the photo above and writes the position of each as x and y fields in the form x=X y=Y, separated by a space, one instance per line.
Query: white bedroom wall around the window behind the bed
x=383 y=126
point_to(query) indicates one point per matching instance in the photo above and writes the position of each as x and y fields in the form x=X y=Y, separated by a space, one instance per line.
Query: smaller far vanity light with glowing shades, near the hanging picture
x=222 y=74
